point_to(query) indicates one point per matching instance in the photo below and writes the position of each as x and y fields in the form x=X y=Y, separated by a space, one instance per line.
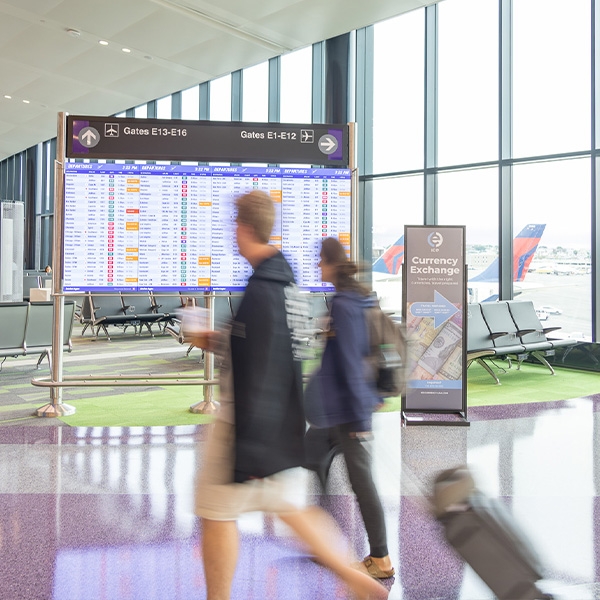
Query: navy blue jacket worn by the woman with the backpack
x=347 y=385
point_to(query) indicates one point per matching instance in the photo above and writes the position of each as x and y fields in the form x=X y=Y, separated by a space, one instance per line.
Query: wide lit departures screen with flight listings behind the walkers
x=140 y=227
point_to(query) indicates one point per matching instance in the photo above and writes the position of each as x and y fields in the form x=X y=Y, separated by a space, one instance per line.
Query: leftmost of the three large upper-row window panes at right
x=398 y=75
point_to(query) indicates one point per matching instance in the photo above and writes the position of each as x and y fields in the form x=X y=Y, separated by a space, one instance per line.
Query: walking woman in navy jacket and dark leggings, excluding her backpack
x=351 y=398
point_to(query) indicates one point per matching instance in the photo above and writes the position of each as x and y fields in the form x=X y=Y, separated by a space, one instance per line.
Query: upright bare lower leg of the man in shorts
x=219 y=553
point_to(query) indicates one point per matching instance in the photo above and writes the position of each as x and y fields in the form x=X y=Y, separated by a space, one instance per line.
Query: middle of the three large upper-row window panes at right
x=468 y=81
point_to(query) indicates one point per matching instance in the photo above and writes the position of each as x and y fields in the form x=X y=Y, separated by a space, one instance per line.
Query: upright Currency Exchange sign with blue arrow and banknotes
x=434 y=284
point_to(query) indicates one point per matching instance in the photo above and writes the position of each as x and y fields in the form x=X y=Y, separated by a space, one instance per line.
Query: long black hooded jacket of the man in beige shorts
x=267 y=380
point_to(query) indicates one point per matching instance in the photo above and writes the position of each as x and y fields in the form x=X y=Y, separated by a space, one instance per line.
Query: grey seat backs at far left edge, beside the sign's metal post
x=27 y=329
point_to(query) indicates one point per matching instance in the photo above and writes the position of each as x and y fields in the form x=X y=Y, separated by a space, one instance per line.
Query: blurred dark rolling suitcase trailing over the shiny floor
x=483 y=532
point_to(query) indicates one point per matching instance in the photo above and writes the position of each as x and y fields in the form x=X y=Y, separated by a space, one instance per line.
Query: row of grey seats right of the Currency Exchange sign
x=509 y=329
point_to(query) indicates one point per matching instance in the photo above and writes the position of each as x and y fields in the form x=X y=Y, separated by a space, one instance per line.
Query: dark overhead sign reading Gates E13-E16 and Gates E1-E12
x=207 y=141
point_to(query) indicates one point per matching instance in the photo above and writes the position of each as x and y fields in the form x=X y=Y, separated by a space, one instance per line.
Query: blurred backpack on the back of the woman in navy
x=388 y=351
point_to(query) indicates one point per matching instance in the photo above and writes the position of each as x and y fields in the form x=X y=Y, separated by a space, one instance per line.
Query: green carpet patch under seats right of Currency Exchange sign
x=532 y=383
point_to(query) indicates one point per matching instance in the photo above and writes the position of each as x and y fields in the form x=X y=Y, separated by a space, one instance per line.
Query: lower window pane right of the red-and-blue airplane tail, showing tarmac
x=560 y=273
